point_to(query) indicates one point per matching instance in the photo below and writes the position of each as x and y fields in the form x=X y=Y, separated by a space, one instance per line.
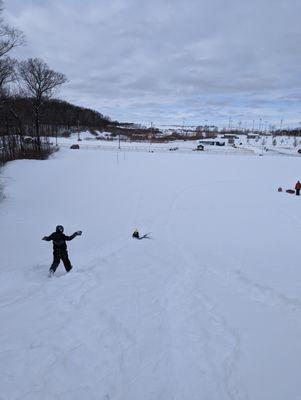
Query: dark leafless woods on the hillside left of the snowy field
x=18 y=129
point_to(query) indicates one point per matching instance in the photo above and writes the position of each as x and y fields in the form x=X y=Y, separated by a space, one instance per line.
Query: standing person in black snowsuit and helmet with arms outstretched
x=60 y=248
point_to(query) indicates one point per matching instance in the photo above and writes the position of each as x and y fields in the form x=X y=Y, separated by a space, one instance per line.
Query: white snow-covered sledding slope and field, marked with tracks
x=209 y=308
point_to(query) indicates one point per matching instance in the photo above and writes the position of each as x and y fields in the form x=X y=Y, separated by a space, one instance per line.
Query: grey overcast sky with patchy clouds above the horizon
x=169 y=60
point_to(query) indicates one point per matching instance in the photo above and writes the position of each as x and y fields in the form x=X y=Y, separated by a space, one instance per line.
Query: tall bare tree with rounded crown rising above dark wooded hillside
x=39 y=83
